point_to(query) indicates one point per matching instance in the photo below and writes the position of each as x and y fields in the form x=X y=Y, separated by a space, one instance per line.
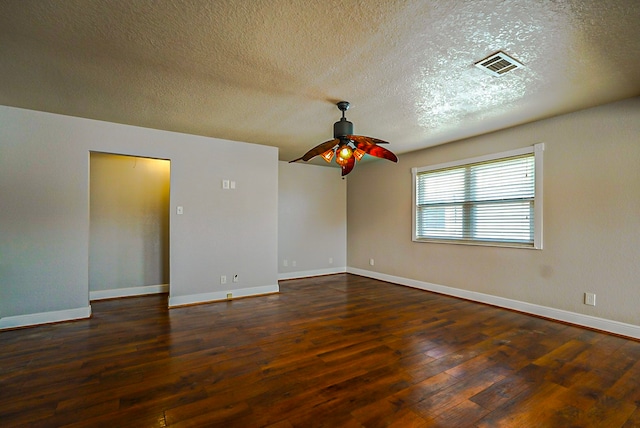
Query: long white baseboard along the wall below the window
x=610 y=326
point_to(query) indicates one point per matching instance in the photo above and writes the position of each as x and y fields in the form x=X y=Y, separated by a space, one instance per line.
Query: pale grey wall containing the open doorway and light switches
x=44 y=215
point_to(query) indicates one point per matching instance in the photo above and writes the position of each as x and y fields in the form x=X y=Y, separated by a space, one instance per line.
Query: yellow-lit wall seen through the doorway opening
x=128 y=221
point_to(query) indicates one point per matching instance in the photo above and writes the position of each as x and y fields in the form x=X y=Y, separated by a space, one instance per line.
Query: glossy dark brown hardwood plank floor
x=333 y=351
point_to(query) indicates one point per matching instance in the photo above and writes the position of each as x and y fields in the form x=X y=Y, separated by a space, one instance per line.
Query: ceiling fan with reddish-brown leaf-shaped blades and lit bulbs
x=346 y=147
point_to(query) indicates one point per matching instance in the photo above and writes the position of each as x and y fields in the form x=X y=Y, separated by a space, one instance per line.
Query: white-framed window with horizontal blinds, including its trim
x=490 y=200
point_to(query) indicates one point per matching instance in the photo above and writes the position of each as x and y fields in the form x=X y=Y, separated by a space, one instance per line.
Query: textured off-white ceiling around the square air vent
x=270 y=71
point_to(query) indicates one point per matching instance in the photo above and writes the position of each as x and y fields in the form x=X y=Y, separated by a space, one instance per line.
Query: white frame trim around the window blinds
x=537 y=151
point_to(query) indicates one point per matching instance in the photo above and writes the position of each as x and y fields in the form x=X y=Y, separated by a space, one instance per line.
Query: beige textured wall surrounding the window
x=591 y=218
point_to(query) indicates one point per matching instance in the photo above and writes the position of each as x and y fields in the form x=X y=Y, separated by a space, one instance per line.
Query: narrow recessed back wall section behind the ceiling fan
x=312 y=220
